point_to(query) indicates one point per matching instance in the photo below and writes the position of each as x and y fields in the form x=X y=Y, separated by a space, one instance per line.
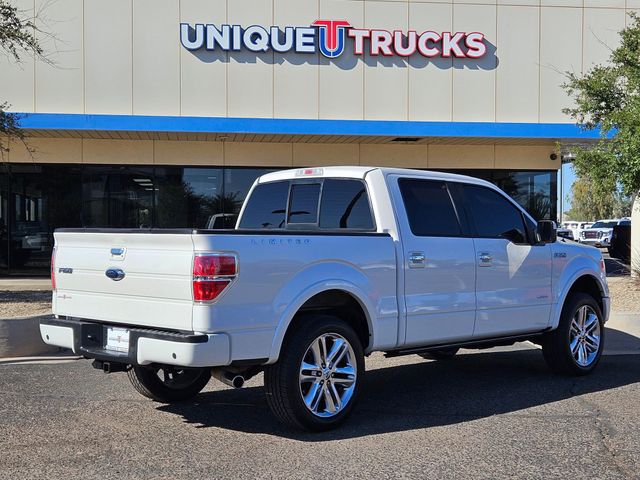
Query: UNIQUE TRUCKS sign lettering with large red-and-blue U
x=329 y=37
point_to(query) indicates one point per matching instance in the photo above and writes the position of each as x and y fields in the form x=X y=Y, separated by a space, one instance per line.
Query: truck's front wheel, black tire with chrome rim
x=575 y=347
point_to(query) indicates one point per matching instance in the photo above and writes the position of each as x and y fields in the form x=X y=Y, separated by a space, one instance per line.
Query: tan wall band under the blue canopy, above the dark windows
x=168 y=152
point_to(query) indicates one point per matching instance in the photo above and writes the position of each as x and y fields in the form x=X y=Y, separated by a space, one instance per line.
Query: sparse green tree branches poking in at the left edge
x=17 y=37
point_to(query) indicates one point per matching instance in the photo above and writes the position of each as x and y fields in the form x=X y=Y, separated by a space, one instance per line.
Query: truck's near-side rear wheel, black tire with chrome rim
x=319 y=375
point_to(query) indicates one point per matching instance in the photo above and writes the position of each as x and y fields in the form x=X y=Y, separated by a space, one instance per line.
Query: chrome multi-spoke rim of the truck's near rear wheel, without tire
x=328 y=375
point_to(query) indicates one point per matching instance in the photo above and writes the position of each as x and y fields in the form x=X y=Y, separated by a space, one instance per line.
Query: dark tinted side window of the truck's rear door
x=429 y=208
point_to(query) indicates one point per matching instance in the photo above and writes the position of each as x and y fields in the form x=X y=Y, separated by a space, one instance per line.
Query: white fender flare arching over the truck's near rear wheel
x=325 y=285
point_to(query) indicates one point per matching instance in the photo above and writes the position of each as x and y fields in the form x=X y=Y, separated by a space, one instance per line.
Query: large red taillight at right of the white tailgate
x=212 y=274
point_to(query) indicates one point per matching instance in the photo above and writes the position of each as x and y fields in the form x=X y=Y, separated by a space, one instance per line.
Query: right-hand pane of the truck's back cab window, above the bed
x=345 y=204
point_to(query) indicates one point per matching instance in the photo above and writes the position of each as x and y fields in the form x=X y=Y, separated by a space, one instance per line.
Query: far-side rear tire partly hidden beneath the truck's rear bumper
x=176 y=385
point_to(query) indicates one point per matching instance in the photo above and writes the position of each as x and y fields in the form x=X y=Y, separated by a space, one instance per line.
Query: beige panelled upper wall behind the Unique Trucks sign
x=125 y=57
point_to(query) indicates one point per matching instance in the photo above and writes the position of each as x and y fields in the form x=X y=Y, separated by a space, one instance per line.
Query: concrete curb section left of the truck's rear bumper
x=20 y=337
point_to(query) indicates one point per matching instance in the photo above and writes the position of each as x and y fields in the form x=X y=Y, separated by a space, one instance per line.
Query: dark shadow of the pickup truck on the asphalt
x=422 y=394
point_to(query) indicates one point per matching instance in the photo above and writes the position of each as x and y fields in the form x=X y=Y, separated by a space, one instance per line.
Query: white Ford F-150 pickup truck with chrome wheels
x=325 y=266
